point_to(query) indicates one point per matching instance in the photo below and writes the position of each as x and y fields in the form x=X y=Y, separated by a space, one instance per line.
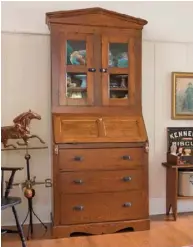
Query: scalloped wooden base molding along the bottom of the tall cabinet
x=65 y=231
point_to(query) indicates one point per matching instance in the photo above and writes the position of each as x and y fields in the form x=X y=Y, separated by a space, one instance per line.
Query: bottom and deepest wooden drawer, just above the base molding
x=99 y=207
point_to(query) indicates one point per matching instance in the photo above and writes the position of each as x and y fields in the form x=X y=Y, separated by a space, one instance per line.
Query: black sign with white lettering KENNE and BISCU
x=181 y=138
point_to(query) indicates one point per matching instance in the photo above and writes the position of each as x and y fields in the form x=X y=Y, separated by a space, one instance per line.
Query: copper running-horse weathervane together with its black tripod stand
x=20 y=130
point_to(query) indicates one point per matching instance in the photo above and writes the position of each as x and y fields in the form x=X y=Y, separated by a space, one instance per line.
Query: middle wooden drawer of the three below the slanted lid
x=100 y=181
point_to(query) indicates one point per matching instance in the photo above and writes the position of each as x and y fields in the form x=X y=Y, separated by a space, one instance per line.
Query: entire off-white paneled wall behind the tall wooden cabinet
x=167 y=47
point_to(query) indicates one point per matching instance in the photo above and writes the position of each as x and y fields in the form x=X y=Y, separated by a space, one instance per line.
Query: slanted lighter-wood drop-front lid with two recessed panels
x=78 y=129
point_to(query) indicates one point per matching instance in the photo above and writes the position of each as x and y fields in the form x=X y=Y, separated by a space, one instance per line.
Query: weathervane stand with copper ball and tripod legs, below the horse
x=28 y=188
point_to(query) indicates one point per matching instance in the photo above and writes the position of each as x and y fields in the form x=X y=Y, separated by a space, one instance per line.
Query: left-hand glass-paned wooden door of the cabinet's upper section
x=76 y=78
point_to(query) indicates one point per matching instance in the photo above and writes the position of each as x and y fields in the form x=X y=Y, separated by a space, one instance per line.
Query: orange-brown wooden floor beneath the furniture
x=162 y=234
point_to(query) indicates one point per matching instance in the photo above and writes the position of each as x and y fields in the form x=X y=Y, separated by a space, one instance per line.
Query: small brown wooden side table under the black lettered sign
x=172 y=187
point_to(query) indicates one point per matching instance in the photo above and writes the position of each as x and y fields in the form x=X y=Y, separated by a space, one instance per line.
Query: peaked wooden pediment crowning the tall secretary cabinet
x=94 y=17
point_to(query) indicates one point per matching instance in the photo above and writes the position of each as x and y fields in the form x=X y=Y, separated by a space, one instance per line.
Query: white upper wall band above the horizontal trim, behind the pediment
x=168 y=21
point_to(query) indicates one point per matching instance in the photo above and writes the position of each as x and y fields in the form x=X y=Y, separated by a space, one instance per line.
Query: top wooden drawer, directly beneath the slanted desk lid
x=97 y=159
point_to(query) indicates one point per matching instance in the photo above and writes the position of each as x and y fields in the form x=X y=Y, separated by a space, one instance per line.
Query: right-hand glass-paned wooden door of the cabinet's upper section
x=117 y=65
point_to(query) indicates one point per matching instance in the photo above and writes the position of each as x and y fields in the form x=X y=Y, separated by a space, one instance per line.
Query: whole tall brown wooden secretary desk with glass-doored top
x=100 y=144
